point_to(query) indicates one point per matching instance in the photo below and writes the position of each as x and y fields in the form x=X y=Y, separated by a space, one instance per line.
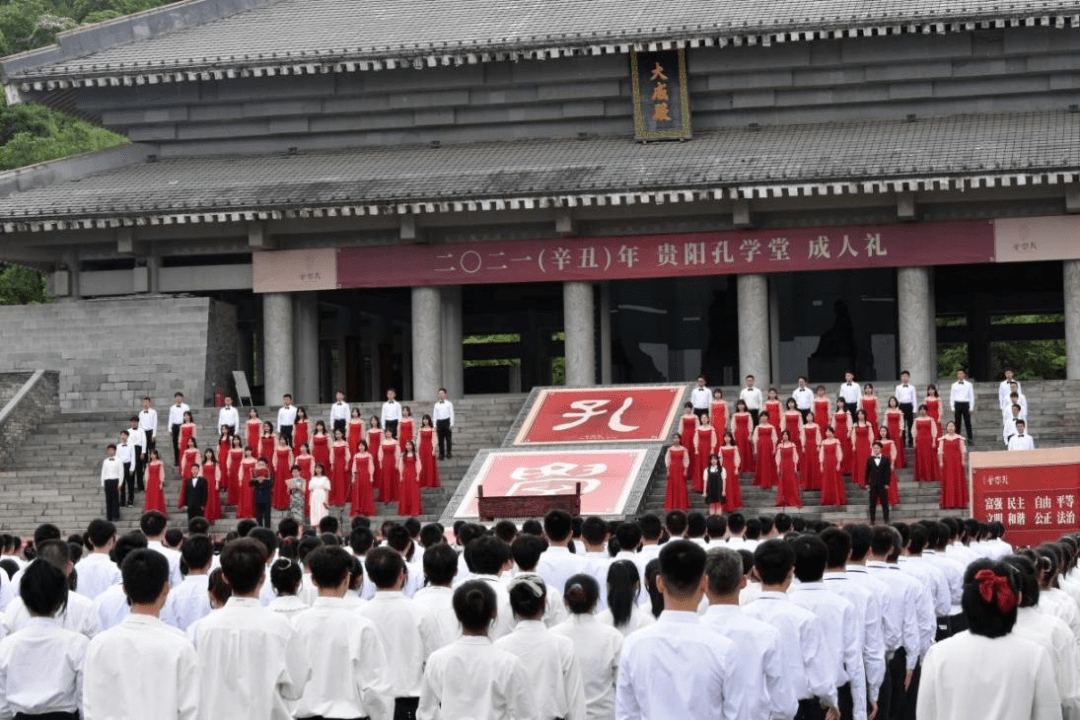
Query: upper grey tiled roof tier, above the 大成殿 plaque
x=301 y=37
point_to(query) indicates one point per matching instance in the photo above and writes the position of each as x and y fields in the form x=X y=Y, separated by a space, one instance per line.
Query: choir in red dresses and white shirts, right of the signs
x=809 y=442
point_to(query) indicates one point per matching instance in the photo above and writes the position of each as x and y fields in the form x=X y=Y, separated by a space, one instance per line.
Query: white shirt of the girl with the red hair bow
x=970 y=676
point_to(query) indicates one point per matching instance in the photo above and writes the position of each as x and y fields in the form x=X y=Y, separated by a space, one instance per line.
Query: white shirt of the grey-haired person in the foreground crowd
x=768 y=692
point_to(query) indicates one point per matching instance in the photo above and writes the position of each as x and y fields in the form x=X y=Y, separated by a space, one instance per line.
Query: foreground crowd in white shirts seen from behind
x=680 y=617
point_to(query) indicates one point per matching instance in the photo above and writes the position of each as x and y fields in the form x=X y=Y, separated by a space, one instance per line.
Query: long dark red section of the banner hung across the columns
x=634 y=257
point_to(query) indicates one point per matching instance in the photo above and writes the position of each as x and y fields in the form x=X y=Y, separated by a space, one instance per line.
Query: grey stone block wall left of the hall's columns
x=111 y=354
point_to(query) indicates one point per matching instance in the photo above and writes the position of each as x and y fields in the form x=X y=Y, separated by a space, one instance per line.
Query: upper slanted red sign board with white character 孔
x=602 y=415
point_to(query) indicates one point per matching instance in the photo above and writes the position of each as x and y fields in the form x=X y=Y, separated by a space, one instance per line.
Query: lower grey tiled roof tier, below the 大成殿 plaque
x=947 y=154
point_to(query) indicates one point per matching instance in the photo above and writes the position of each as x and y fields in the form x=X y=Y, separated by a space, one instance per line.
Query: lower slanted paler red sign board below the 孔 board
x=606 y=478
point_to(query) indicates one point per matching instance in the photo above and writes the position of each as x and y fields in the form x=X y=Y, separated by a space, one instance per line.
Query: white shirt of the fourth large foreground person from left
x=349 y=674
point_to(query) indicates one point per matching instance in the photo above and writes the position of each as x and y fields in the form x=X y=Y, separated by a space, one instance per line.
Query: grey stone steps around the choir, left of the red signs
x=55 y=474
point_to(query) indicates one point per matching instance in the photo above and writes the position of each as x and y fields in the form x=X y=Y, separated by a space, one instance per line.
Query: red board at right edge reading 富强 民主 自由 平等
x=1036 y=504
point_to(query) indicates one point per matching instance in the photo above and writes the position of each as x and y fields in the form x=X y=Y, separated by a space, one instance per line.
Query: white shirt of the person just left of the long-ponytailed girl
x=598 y=648
